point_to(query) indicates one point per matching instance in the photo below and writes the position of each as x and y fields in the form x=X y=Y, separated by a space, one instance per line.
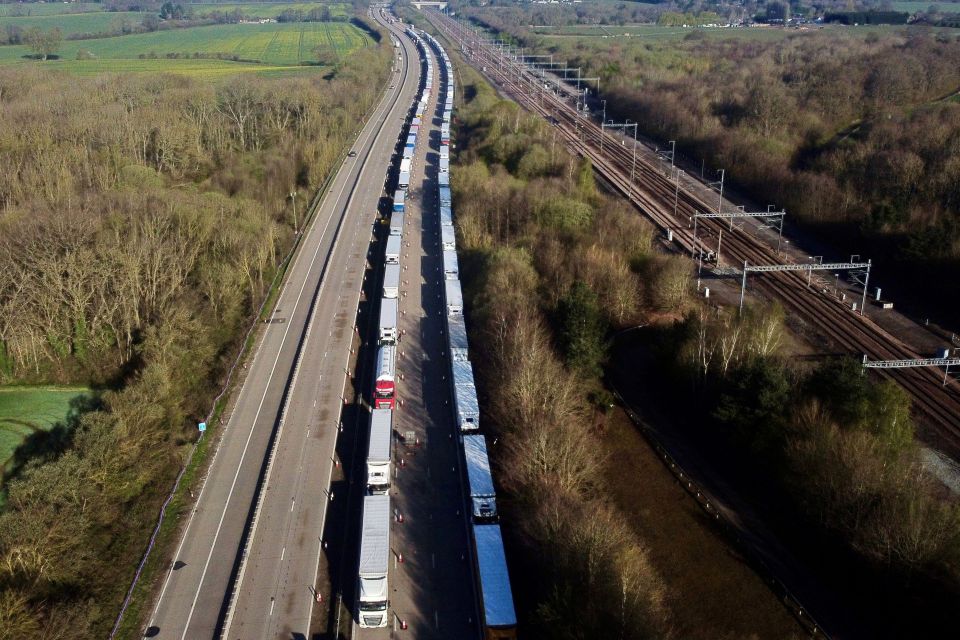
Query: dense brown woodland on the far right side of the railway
x=857 y=136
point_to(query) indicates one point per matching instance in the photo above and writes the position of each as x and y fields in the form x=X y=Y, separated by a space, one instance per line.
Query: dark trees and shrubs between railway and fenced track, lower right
x=833 y=446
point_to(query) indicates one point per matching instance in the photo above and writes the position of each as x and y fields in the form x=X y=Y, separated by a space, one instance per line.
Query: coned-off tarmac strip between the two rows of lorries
x=432 y=590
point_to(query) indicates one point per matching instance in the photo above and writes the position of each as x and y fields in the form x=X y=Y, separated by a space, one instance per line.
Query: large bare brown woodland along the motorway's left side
x=142 y=219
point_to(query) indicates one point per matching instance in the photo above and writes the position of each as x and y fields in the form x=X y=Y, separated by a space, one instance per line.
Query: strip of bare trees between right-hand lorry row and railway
x=551 y=268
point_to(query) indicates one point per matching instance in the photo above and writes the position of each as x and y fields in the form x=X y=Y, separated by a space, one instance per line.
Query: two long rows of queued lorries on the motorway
x=498 y=616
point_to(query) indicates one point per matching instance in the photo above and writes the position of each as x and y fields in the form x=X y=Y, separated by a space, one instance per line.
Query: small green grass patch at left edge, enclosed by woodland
x=25 y=410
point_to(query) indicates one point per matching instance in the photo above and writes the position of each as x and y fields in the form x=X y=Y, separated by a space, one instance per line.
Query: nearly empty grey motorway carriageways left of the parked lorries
x=289 y=405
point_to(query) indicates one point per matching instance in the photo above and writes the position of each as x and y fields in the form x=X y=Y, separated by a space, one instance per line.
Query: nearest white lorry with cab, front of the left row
x=372 y=588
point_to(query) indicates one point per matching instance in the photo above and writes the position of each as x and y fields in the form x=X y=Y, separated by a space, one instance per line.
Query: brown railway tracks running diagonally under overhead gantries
x=654 y=194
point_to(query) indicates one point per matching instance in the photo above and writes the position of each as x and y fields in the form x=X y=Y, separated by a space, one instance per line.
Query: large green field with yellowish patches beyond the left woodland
x=269 y=49
